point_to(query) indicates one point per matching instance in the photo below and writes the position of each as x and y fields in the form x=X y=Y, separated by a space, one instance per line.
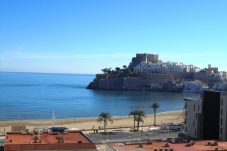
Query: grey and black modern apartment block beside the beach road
x=207 y=118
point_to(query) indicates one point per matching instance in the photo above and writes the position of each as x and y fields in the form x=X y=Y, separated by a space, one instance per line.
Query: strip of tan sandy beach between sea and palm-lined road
x=88 y=123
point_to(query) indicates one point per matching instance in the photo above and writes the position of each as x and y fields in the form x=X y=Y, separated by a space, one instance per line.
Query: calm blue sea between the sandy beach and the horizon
x=38 y=95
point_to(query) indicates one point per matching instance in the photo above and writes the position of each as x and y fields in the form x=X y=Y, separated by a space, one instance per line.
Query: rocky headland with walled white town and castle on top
x=147 y=72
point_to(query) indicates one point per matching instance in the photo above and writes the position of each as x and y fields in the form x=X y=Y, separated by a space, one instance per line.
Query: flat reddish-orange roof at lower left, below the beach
x=76 y=137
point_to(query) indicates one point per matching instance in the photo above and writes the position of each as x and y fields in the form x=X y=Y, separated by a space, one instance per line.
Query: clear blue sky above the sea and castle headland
x=83 y=36
